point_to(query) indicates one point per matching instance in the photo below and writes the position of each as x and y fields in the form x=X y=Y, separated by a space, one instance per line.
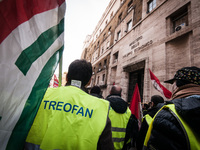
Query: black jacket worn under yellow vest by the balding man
x=120 y=106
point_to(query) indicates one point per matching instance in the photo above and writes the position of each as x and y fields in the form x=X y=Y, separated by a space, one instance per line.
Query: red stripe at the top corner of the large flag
x=15 y=12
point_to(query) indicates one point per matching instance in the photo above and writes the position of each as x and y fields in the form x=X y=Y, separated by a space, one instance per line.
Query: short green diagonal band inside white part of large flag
x=44 y=41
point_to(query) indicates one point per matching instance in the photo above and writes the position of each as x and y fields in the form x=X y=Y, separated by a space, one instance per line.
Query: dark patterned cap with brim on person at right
x=186 y=75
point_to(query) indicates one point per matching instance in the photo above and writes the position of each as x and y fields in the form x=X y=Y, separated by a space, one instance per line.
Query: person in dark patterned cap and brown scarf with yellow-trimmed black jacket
x=176 y=125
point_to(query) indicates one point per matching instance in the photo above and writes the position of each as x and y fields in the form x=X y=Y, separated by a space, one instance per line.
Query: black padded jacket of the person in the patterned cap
x=167 y=133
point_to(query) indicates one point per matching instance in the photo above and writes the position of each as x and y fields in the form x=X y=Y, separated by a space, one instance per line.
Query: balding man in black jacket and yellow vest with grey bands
x=124 y=125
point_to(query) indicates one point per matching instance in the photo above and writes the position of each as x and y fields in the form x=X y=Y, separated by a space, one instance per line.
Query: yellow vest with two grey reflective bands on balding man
x=119 y=123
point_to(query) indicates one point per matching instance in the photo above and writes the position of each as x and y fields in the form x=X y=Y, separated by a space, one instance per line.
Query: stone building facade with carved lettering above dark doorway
x=134 y=36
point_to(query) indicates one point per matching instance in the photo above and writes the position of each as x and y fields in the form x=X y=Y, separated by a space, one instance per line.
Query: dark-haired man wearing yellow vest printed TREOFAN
x=71 y=119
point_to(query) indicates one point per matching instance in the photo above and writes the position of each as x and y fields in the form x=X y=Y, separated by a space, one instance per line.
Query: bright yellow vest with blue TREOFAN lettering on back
x=68 y=118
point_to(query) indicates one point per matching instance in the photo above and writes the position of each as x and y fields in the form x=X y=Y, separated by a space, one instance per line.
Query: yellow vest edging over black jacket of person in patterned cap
x=193 y=139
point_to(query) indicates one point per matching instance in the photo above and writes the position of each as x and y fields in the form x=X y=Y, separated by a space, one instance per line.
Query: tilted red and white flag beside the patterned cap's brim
x=158 y=86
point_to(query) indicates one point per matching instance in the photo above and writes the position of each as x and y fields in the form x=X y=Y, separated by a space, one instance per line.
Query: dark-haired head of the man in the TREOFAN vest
x=79 y=70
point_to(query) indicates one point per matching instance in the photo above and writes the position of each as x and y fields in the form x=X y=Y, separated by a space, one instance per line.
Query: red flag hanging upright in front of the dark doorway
x=135 y=105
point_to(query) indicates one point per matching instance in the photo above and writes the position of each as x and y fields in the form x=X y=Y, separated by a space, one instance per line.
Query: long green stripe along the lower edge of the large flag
x=31 y=107
